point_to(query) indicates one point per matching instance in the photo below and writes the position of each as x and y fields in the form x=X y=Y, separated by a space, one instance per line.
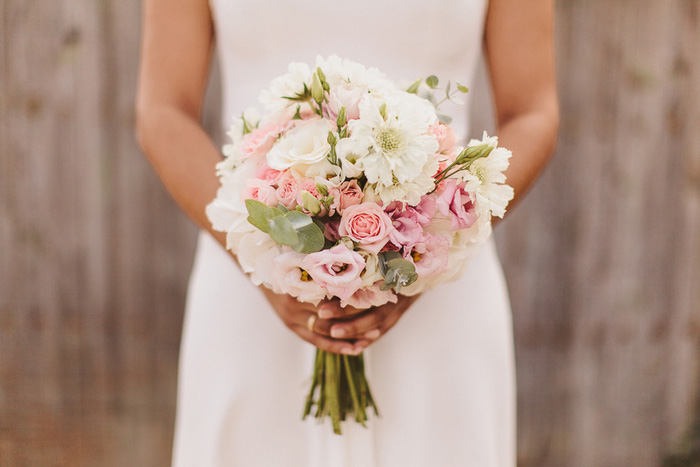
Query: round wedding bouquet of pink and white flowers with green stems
x=354 y=189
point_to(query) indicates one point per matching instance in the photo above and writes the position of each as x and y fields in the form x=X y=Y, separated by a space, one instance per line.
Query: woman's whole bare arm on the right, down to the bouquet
x=520 y=55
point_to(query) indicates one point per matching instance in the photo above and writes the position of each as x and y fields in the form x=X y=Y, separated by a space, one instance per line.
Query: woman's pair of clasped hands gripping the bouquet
x=333 y=328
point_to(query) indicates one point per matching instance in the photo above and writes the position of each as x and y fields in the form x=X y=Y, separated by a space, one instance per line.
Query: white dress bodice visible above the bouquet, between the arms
x=406 y=39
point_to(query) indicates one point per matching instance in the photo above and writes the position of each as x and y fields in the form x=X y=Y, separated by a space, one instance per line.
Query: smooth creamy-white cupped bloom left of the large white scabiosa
x=302 y=147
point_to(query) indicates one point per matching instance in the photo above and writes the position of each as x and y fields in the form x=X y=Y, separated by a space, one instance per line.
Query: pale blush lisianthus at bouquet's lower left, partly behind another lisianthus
x=289 y=277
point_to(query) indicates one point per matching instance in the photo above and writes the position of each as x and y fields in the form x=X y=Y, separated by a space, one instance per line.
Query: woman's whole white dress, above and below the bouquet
x=443 y=377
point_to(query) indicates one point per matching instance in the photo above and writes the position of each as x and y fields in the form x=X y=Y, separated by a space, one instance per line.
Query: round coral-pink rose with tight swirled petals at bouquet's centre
x=367 y=224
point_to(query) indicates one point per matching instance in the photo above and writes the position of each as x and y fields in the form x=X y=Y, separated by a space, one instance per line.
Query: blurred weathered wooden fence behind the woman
x=602 y=258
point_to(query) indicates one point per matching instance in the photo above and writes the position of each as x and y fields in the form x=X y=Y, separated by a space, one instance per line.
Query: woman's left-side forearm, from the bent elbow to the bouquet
x=184 y=157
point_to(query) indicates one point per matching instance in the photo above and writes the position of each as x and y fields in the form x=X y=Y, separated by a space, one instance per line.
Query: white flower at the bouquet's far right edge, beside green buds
x=488 y=180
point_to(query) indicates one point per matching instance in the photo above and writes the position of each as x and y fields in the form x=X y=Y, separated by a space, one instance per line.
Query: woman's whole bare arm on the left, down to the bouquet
x=175 y=58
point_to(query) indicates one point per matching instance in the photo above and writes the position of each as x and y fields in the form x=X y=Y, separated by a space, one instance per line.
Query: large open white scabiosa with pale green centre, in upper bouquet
x=400 y=145
